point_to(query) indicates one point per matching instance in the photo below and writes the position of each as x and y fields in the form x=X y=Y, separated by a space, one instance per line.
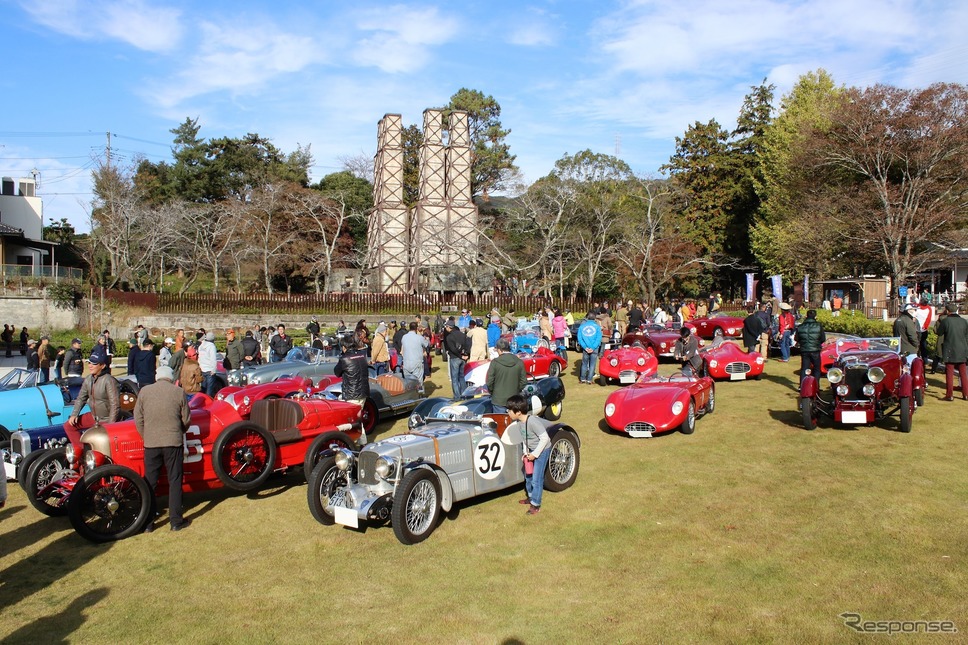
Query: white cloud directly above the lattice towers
x=400 y=38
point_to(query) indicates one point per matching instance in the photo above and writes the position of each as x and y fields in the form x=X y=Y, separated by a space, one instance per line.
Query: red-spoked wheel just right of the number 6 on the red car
x=243 y=456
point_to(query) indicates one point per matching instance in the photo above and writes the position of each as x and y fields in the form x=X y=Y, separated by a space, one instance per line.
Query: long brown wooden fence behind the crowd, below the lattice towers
x=349 y=304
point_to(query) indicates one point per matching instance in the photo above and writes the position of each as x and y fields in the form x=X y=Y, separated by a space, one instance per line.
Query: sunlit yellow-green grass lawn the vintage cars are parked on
x=750 y=530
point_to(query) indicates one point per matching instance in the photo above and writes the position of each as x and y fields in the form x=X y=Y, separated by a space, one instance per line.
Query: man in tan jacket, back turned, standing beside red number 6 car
x=162 y=417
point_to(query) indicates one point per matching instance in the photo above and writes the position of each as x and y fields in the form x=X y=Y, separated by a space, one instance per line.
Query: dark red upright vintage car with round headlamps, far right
x=868 y=382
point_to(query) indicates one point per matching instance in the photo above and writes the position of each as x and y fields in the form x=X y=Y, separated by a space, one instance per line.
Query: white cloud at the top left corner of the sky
x=135 y=22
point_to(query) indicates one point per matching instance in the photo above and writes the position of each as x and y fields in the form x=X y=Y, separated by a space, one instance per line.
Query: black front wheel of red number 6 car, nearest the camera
x=110 y=503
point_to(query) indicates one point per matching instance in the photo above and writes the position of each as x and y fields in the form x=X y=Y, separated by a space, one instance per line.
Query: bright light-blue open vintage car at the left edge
x=36 y=406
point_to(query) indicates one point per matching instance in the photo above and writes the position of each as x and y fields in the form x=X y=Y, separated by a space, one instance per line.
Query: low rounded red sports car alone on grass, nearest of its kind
x=657 y=404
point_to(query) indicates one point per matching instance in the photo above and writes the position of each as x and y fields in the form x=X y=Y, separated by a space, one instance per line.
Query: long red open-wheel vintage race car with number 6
x=104 y=492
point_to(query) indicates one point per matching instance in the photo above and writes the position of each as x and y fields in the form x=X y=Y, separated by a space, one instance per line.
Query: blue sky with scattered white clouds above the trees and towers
x=610 y=76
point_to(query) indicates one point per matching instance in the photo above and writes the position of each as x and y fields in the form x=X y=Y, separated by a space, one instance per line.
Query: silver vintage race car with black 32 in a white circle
x=410 y=479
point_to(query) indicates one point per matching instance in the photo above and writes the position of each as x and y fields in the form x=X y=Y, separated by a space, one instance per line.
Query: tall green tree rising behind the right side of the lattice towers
x=492 y=163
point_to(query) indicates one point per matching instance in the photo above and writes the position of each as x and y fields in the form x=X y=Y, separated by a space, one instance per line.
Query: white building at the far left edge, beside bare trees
x=22 y=248
